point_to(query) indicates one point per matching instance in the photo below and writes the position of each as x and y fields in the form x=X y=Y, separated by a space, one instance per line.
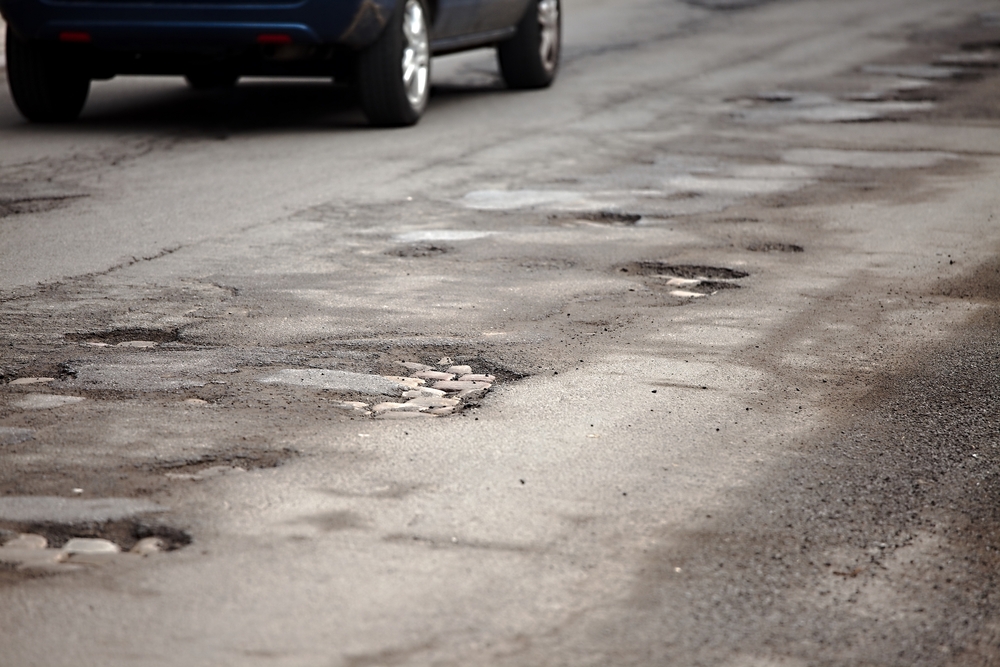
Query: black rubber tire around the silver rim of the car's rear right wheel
x=380 y=75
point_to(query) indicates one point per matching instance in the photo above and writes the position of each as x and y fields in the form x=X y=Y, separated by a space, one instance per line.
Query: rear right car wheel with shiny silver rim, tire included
x=394 y=73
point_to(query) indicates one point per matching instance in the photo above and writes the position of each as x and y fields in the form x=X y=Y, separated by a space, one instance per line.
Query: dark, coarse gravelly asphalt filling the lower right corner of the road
x=871 y=545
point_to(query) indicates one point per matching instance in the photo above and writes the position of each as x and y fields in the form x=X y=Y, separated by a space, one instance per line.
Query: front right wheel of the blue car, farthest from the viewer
x=530 y=59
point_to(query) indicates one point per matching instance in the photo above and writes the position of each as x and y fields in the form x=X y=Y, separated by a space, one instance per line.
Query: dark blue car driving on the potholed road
x=55 y=48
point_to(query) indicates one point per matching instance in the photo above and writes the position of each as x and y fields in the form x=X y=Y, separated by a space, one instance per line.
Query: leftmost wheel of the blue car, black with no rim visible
x=45 y=85
